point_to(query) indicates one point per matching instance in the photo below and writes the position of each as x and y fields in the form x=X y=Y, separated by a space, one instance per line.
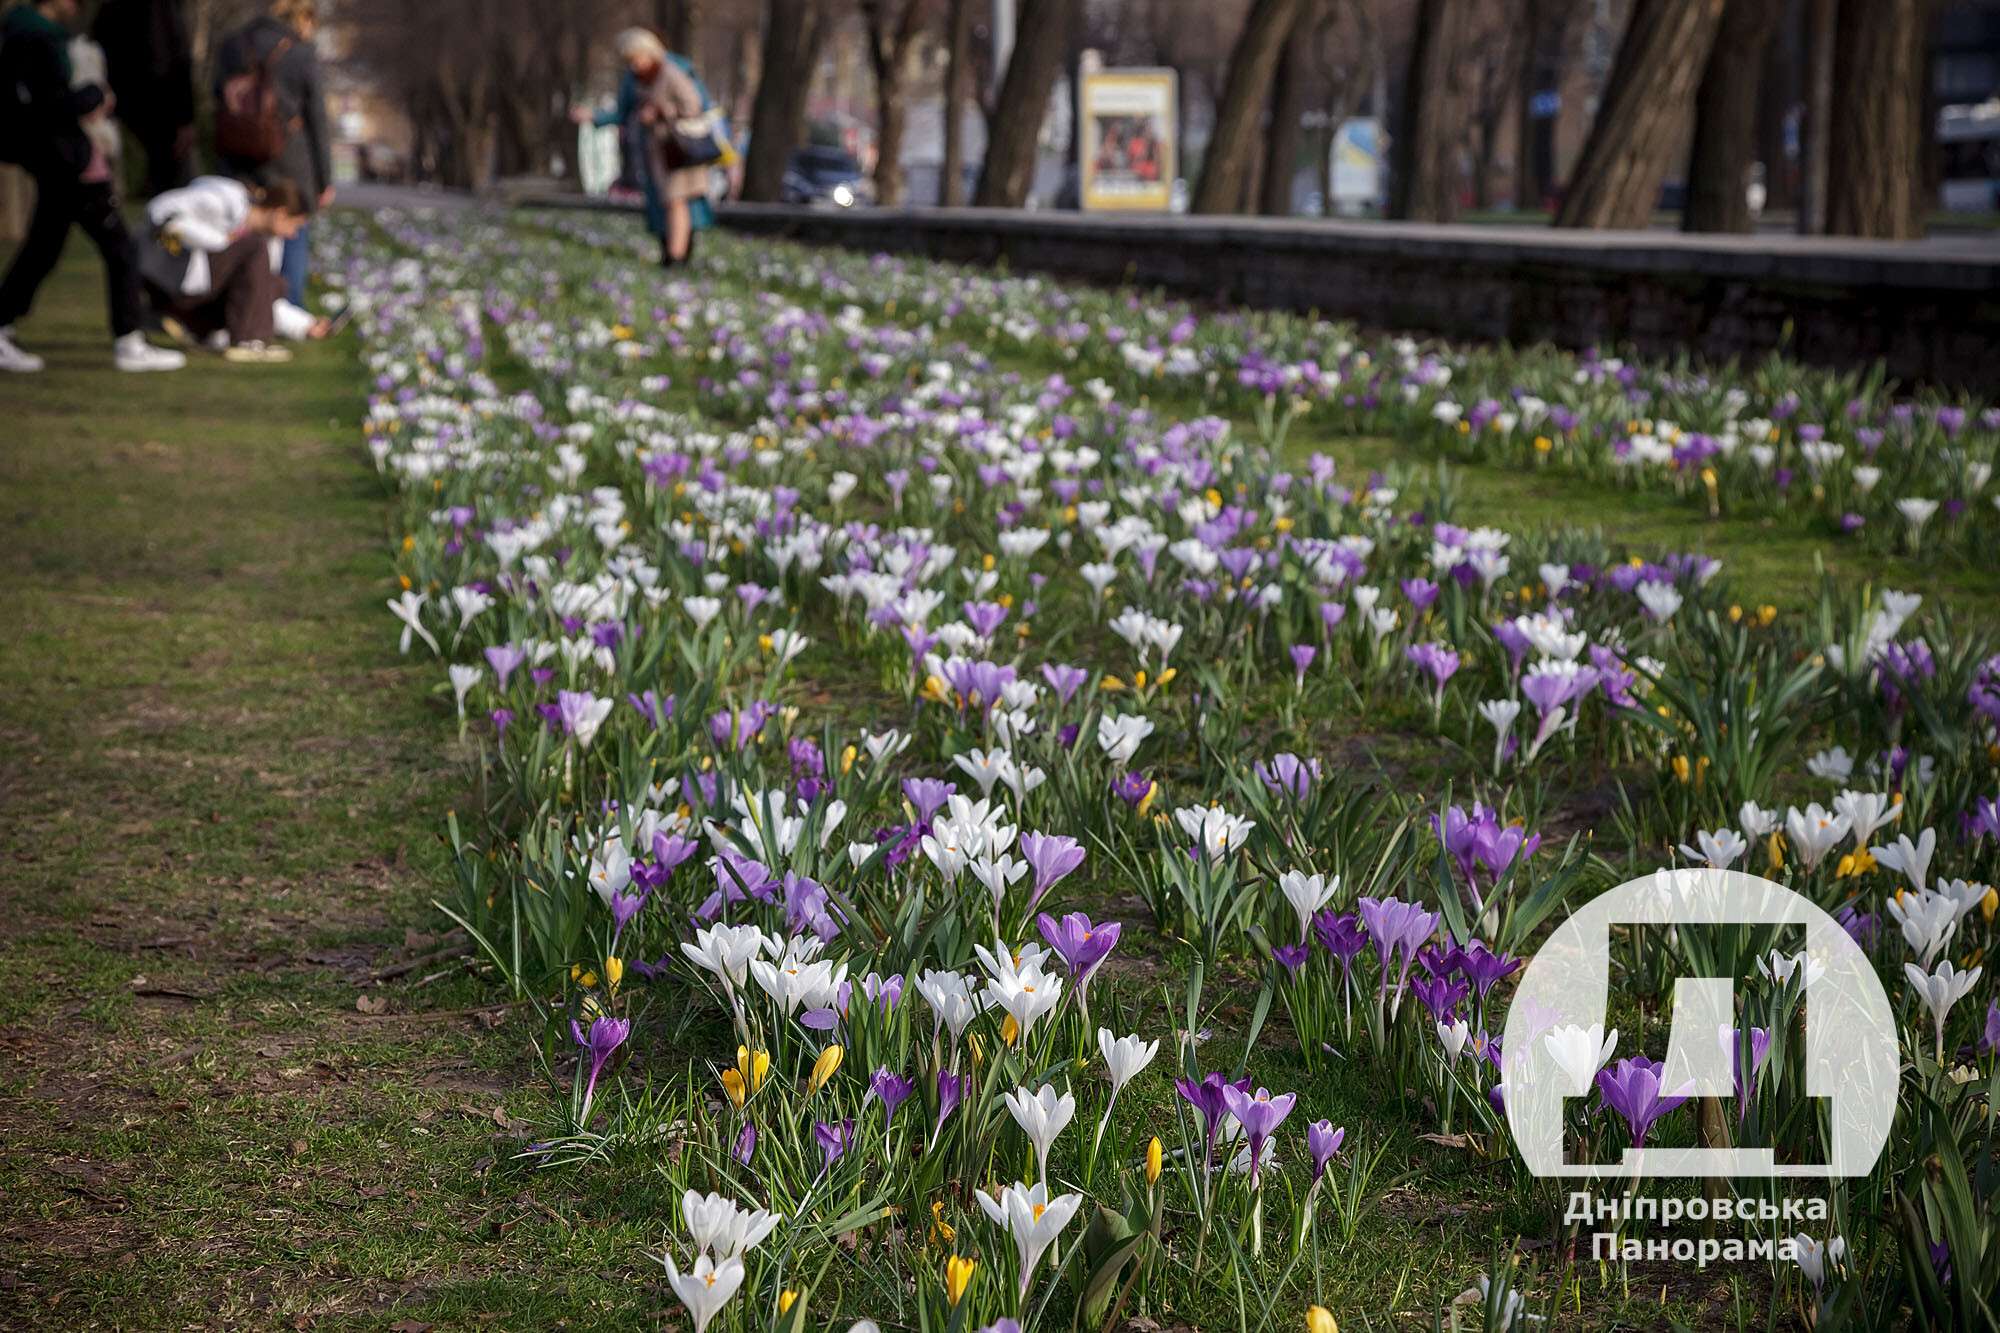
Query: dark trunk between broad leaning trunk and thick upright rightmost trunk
x=1725 y=121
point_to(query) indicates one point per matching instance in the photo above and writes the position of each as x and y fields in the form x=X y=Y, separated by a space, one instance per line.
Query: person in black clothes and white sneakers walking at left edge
x=43 y=127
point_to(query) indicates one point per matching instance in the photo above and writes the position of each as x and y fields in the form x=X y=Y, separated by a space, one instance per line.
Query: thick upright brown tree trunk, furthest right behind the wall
x=1875 y=143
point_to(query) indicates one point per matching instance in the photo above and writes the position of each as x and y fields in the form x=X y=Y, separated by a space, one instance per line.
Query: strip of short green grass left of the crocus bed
x=221 y=800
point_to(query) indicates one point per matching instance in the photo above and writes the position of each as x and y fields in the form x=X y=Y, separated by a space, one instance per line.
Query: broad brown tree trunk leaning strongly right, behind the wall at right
x=1645 y=115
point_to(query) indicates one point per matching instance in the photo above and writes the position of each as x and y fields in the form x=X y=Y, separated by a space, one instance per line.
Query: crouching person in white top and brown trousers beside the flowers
x=209 y=271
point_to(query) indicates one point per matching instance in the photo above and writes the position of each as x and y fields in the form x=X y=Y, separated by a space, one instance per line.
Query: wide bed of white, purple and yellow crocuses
x=937 y=792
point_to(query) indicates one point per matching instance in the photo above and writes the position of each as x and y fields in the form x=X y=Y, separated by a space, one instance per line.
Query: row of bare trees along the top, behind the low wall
x=1683 y=91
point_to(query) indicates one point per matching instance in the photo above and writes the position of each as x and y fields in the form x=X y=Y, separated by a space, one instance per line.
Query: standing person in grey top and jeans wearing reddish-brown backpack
x=275 y=53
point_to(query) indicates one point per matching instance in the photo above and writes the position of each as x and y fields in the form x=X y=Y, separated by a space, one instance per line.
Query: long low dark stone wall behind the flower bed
x=1927 y=311
